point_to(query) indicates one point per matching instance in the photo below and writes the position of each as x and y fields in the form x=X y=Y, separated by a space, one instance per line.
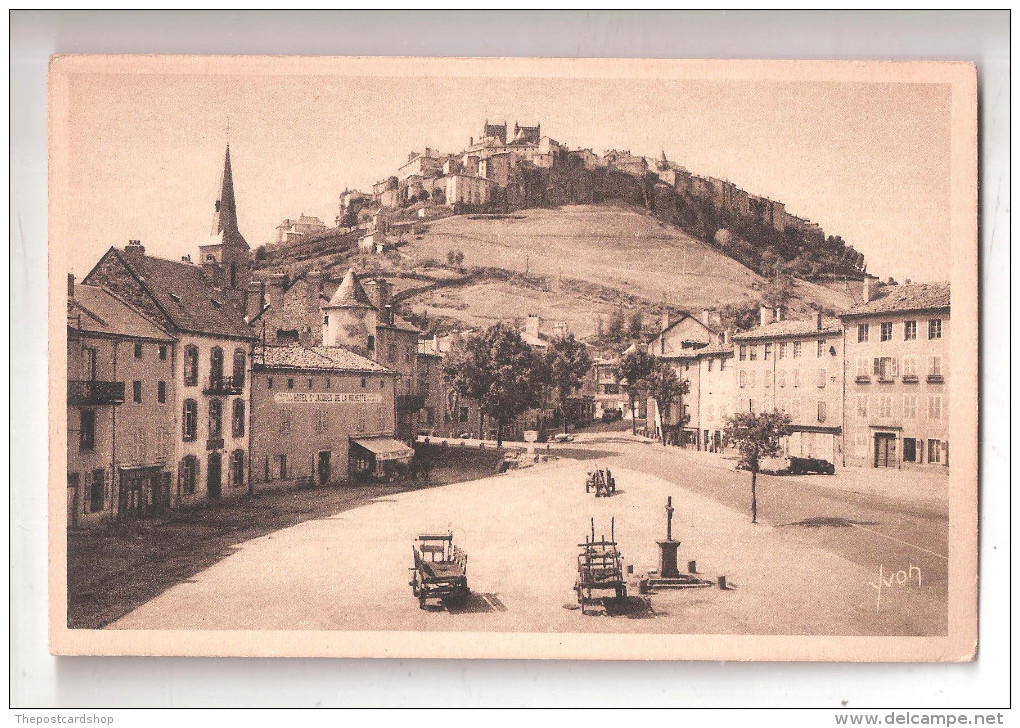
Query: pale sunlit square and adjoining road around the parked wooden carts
x=521 y=530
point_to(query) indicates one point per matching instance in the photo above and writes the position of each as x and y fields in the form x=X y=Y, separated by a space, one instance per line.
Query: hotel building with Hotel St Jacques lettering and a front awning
x=322 y=415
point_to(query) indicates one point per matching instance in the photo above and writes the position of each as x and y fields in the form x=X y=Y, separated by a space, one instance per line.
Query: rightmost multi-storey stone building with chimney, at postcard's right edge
x=897 y=377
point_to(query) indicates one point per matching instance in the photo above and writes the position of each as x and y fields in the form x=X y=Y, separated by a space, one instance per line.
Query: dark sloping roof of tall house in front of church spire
x=183 y=292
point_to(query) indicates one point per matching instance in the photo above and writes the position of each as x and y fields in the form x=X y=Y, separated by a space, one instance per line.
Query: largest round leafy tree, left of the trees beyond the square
x=496 y=369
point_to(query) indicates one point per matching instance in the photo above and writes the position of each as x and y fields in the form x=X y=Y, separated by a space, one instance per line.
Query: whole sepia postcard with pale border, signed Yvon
x=597 y=359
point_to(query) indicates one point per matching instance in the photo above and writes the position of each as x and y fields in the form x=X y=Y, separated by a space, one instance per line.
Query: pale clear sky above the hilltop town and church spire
x=870 y=163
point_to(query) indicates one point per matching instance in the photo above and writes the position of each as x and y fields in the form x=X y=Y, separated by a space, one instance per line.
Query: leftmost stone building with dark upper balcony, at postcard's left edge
x=121 y=395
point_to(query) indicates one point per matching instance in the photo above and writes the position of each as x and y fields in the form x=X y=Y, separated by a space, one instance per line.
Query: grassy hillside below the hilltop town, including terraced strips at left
x=576 y=264
